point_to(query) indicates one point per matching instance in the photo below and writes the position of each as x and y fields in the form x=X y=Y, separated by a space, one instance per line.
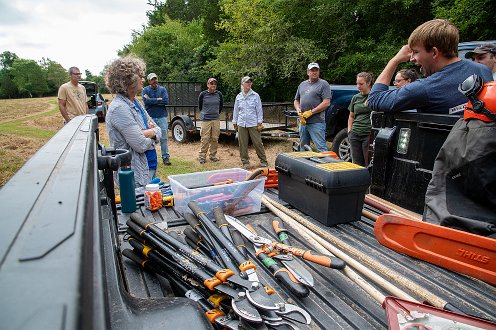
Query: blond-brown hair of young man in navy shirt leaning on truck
x=438 y=33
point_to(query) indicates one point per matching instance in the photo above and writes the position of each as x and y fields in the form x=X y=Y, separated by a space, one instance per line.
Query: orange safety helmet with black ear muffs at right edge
x=482 y=99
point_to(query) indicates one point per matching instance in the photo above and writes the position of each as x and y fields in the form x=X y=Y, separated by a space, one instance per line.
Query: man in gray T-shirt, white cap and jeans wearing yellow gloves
x=312 y=98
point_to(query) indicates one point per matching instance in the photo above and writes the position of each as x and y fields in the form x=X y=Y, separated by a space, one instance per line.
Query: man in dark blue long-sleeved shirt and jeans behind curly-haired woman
x=156 y=99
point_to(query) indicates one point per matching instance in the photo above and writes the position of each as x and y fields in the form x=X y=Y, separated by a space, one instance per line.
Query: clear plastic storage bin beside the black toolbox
x=209 y=190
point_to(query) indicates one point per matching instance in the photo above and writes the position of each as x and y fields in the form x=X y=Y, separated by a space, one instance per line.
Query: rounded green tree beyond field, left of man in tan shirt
x=29 y=77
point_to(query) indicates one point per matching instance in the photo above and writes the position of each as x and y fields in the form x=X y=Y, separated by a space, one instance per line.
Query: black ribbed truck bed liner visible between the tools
x=335 y=301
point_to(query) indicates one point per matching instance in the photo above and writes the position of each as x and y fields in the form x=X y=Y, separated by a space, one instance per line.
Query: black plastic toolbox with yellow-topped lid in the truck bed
x=327 y=189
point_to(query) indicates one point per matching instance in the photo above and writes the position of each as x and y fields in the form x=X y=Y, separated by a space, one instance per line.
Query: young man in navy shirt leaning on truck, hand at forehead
x=433 y=46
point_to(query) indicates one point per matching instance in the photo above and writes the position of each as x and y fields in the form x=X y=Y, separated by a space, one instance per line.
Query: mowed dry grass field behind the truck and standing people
x=27 y=124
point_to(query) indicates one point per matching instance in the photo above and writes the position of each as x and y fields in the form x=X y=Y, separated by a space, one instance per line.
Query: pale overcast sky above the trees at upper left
x=82 y=33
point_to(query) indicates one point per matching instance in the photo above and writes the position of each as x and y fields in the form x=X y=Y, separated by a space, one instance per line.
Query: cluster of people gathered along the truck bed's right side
x=433 y=47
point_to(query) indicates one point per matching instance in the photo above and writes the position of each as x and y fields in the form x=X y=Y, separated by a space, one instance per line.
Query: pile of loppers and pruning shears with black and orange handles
x=212 y=267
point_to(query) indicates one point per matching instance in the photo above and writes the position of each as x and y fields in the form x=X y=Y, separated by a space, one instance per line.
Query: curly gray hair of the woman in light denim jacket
x=123 y=73
